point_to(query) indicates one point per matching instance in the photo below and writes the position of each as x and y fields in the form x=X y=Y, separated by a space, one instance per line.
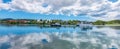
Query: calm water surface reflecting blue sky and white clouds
x=37 y=37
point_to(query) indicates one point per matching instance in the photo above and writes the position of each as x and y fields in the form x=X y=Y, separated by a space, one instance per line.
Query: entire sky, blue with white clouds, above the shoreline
x=86 y=10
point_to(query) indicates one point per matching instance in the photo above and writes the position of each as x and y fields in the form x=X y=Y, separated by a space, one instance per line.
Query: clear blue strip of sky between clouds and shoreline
x=27 y=15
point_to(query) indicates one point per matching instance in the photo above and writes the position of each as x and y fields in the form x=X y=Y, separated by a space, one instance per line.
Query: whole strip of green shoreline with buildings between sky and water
x=62 y=22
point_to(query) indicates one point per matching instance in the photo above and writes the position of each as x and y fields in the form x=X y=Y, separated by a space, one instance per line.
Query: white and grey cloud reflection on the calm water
x=102 y=38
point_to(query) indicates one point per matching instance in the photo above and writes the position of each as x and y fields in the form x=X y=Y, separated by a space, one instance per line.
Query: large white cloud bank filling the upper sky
x=102 y=9
